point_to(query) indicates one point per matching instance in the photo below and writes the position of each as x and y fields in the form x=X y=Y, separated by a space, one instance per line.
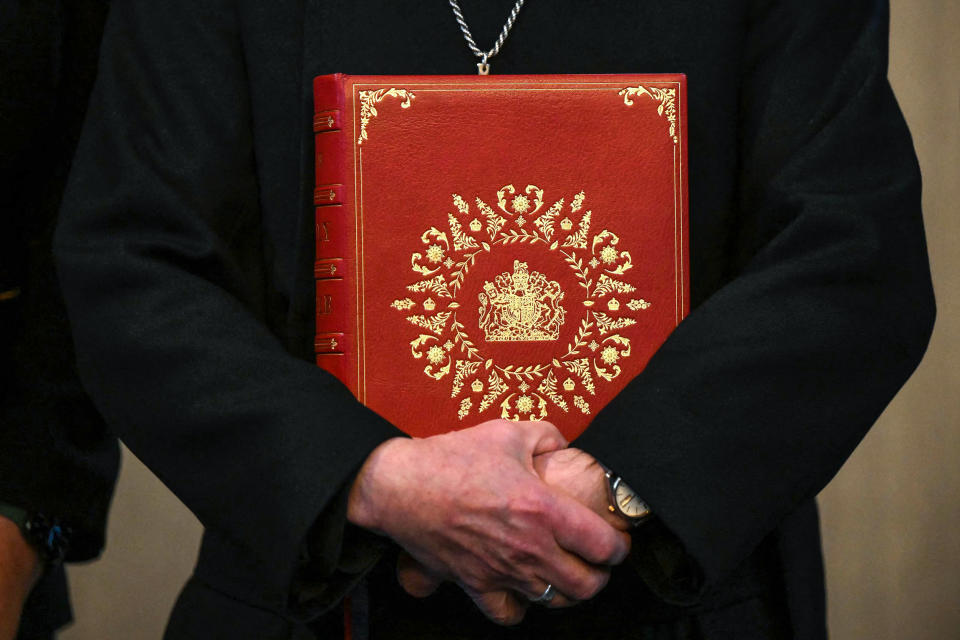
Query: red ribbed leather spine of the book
x=332 y=225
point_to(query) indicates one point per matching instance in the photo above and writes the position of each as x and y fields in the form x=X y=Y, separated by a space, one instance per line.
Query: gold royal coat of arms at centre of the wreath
x=522 y=306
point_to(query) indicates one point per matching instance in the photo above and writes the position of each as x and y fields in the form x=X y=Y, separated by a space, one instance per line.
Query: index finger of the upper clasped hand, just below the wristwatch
x=586 y=534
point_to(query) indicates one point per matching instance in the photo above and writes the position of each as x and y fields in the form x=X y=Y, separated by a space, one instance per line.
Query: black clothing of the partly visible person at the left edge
x=56 y=456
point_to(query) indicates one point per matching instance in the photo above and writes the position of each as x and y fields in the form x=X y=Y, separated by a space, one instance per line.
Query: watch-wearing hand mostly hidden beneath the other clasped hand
x=573 y=471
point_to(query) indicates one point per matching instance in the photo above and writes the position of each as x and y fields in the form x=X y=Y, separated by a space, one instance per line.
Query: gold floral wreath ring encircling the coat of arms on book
x=448 y=255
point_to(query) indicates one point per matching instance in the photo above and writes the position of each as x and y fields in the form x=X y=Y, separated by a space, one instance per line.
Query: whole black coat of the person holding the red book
x=186 y=248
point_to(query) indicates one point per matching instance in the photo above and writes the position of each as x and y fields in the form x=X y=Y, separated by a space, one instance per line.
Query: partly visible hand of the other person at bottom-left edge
x=19 y=569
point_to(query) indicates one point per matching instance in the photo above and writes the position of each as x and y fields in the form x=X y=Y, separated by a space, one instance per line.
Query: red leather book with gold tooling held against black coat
x=498 y=246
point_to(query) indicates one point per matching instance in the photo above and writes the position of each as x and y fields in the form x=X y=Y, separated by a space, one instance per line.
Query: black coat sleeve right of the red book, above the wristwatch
x=759 y=396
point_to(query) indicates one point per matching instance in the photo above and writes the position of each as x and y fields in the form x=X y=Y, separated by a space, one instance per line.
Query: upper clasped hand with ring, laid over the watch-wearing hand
x=468 y=506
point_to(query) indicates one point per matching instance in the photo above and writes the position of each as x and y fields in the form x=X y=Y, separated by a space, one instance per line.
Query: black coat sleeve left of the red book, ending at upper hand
x=160 y=254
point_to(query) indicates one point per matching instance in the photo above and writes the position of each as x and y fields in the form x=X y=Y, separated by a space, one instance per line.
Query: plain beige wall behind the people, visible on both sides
x=891 y=519
